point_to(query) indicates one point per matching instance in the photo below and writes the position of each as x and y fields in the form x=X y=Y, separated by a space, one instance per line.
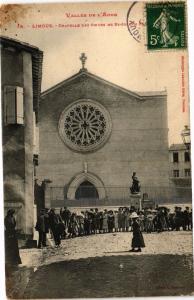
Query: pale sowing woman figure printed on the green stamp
x=162 y=23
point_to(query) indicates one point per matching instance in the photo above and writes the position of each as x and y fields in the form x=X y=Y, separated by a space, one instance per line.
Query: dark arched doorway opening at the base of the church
x=86 y=190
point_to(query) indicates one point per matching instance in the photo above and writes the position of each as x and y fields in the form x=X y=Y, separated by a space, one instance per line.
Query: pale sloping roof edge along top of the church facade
x=84 y=72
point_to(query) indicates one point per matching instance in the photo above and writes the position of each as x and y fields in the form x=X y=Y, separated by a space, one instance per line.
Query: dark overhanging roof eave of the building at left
x=37 y=59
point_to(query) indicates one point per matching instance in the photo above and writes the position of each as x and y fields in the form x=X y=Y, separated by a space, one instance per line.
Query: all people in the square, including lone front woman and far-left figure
x=67 y=224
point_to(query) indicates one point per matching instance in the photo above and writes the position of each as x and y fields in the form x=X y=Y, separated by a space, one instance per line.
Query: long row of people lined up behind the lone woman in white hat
x=67 y=224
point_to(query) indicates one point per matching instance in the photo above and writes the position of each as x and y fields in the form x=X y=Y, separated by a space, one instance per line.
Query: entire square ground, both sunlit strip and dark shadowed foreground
x=167 y=255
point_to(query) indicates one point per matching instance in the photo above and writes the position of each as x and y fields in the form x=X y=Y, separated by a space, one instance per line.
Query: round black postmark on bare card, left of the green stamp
x=135 y=20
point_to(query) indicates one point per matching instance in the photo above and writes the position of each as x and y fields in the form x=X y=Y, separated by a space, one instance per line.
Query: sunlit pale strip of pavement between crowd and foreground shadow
x=109 y=244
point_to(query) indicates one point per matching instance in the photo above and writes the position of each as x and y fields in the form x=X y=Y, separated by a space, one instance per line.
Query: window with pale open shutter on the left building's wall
x=13 y=105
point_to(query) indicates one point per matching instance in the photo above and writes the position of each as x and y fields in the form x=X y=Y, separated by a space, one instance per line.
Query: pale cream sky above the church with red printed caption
x=112 y=52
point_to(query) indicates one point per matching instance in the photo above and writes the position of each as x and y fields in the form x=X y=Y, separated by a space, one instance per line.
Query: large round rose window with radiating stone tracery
x=85 y=125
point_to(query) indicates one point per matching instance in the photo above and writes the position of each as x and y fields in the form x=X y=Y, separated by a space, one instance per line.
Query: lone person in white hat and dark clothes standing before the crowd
x=137 y=240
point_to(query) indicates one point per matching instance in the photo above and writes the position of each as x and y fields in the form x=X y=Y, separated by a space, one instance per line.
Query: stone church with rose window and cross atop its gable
x=94 y=135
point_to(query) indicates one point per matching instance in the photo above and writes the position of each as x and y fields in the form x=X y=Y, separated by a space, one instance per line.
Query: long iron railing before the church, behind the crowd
x=120 y=196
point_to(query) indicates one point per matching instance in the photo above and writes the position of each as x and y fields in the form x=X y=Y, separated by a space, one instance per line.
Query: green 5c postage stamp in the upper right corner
x=166 y=28
